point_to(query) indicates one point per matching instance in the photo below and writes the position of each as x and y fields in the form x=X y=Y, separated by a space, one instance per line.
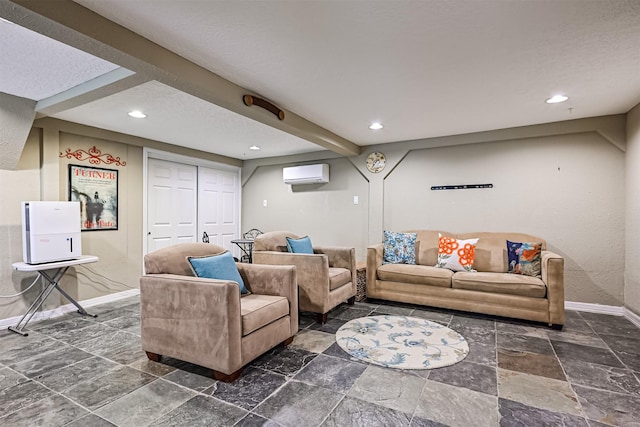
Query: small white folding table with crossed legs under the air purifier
x=52 y=272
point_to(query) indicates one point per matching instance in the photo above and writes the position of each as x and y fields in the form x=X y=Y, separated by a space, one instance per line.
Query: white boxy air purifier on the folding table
x=50 y=232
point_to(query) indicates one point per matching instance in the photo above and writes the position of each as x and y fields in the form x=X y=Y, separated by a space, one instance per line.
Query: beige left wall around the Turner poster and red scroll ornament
x=41 y=174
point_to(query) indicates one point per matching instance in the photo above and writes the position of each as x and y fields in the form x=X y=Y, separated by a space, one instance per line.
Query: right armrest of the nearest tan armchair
x=277 y=280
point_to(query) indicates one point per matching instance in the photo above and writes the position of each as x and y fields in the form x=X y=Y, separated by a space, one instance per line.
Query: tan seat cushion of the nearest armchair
x=260 y=310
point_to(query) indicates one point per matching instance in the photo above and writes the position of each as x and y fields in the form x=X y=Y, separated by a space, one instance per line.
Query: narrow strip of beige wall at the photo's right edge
x=632 y=224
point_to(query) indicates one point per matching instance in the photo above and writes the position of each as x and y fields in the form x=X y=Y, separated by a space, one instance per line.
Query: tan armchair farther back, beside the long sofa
x=326 y=278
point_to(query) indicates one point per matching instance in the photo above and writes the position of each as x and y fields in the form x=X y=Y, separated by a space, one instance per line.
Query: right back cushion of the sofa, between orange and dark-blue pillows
x=491 y=249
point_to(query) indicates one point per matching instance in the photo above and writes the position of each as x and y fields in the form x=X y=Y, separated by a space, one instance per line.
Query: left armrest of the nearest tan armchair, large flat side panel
x=192 y=319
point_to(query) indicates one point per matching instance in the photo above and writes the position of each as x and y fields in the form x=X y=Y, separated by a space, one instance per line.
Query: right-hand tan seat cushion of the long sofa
x=500 y=283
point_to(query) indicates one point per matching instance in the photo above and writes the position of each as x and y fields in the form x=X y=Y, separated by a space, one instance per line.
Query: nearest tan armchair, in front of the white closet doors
x=205 y=321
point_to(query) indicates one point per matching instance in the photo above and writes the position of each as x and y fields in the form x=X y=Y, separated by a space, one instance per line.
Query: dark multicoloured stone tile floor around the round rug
x=78 y=371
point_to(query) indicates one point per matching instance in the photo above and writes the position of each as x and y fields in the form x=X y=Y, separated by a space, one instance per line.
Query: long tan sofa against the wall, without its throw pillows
x=490 y=290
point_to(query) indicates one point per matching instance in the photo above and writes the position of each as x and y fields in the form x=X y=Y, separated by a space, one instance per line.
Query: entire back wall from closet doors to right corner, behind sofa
x=564 y=182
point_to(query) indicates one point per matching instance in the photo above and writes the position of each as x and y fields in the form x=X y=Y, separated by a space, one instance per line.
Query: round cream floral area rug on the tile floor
x=402 y=342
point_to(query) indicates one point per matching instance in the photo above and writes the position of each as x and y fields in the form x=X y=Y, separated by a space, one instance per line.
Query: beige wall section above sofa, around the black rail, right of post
x=566 y=189
